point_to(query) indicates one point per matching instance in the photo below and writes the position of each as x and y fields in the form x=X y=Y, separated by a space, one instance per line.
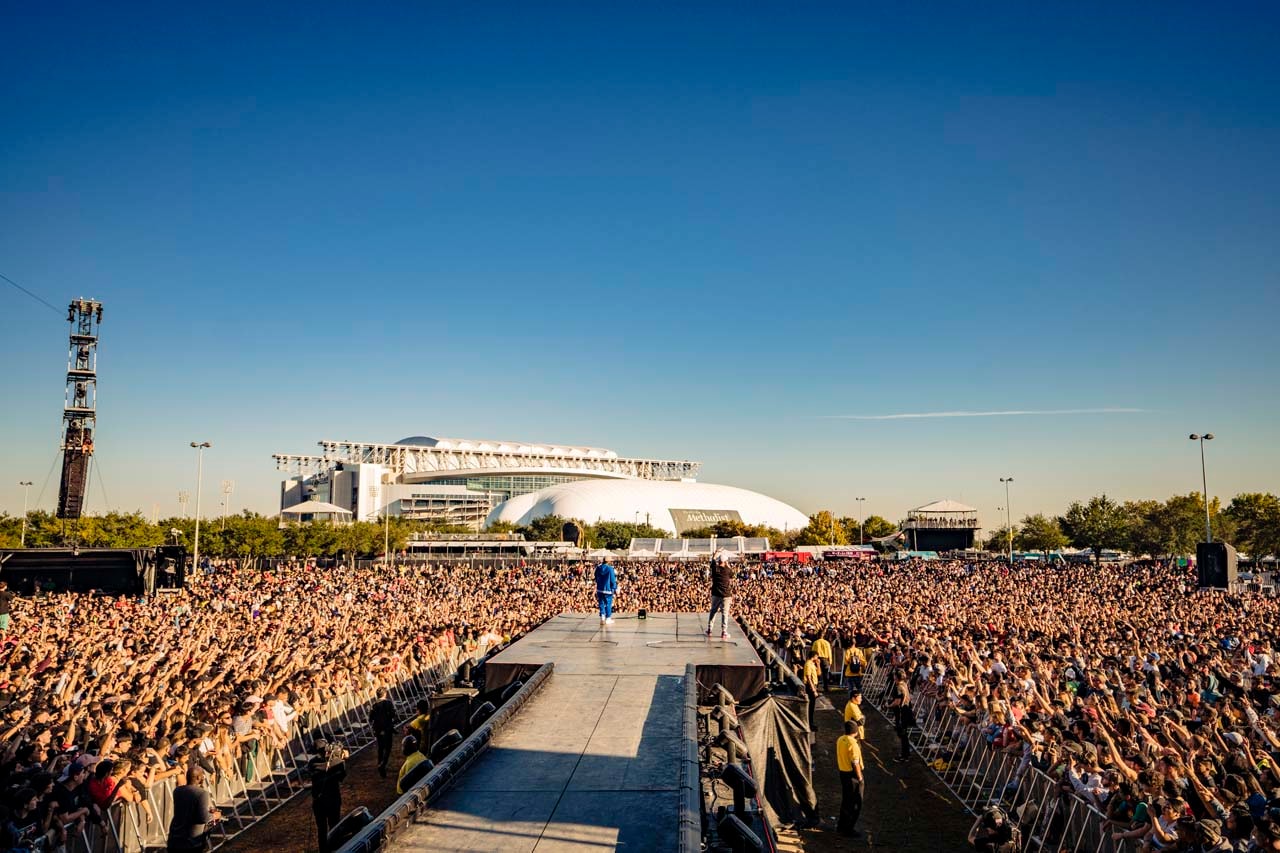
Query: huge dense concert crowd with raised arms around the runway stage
x=1154 y=701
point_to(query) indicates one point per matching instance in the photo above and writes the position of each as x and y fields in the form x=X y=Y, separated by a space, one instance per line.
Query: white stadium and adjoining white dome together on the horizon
x=470 y=482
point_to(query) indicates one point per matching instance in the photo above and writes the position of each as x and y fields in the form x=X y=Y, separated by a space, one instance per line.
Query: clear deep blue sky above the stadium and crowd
x=693 y=231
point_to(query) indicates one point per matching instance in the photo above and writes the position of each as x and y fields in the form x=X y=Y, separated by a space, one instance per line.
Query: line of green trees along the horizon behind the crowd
x=1251 y=522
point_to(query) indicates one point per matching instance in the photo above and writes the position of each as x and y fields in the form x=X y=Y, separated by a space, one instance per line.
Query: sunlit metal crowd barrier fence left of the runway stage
x=262 y=778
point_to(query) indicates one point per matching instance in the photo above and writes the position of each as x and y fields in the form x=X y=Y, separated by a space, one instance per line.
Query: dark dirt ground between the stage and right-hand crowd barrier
x=906 y=810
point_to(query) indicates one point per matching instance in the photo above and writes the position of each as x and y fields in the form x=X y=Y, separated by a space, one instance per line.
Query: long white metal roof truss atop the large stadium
x=408 y=460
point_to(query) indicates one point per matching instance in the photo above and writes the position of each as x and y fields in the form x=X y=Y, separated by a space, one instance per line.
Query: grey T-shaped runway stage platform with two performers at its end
x=593 y=761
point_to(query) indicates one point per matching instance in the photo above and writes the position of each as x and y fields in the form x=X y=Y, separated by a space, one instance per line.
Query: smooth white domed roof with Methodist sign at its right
x=639 y=500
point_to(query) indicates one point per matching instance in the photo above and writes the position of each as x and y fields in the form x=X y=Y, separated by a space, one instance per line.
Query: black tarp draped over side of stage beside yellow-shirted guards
x=778 y=737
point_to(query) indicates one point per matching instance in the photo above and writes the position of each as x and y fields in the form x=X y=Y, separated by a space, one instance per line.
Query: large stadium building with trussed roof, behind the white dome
x=452 y=481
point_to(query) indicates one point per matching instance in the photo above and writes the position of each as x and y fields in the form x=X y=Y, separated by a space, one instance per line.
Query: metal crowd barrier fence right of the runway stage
x=981 y=776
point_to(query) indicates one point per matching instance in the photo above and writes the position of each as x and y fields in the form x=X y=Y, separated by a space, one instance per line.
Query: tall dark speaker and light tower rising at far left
x=80 y=408
